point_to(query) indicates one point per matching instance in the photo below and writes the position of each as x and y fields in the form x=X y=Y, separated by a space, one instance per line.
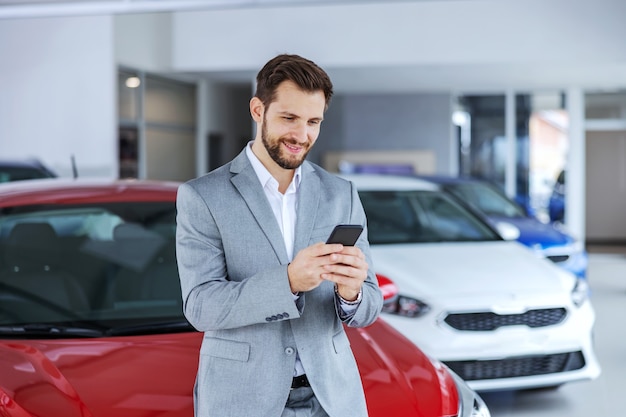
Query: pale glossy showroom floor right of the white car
x=605 y=395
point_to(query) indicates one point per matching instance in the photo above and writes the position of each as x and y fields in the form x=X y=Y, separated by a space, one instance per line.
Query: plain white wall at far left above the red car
x=57 y=84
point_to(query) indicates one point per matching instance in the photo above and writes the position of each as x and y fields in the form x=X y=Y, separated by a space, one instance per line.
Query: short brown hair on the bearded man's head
x=303 y=72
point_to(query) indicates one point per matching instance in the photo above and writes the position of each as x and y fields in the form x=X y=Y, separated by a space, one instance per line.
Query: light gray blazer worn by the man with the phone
x=233 y=271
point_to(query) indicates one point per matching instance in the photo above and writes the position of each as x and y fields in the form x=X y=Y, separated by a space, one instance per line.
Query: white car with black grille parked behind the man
x=490 y=309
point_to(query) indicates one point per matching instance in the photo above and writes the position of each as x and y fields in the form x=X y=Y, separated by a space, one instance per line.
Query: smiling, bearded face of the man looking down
x=291 y=124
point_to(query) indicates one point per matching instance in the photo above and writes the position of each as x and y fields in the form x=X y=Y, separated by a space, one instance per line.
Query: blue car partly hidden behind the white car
x=548 y=240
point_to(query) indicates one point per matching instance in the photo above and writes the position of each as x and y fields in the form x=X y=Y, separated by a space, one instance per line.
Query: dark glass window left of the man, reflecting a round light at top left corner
x=157 y=127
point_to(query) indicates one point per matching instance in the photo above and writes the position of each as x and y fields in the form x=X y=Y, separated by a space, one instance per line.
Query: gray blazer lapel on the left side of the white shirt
x=248 y=185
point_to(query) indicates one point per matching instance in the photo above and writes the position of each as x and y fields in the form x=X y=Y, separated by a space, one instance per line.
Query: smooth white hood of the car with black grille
x=459 y=269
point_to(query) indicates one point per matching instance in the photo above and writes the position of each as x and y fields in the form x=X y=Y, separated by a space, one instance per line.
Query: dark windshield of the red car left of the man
x=89 y=270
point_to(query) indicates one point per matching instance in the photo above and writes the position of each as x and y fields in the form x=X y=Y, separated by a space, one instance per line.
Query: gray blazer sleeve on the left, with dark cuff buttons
x=210 y=300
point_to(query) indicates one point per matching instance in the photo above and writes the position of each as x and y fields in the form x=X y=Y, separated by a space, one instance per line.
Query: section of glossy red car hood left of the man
x=122 y=377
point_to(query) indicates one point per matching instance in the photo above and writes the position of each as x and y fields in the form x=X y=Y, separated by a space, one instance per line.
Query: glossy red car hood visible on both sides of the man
x=136 y=376
